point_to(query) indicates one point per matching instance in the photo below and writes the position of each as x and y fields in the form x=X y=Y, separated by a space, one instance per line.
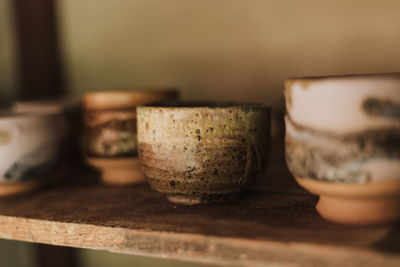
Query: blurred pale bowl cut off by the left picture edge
x=30 y=149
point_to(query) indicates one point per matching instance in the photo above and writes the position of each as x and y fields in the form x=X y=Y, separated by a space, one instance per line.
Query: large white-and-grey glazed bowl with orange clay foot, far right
x=343 y=143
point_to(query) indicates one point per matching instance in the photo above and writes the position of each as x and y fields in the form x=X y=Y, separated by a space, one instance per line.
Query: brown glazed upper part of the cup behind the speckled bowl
x=110 y=120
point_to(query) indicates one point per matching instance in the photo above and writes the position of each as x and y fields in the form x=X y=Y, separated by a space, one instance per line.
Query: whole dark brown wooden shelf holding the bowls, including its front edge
x=264 y=226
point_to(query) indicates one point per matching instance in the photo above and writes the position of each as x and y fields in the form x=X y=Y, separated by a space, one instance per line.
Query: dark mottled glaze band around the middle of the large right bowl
x=354 y=158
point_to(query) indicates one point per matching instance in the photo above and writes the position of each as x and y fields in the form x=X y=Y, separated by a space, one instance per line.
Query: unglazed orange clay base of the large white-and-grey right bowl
x=357 y=204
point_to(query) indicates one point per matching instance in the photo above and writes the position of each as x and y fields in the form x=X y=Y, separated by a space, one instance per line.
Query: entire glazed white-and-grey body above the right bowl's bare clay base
x=344 y=129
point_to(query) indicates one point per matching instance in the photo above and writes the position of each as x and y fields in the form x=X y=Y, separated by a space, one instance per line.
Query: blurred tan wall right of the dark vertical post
x=225 y=49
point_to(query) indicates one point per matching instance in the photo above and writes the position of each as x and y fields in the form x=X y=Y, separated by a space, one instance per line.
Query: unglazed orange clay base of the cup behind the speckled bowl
x=118 y=172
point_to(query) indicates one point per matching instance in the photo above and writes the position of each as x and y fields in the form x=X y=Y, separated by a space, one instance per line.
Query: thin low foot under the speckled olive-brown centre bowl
x=197 y=200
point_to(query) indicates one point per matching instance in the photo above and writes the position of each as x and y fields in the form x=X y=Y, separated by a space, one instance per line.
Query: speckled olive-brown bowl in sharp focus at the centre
x=203 y=152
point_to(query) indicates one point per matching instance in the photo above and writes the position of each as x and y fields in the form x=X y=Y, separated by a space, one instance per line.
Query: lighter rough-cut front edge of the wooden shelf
x=189 y=247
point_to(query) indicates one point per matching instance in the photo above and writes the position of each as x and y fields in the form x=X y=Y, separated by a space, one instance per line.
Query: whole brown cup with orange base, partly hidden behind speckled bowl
x=110 y=141
